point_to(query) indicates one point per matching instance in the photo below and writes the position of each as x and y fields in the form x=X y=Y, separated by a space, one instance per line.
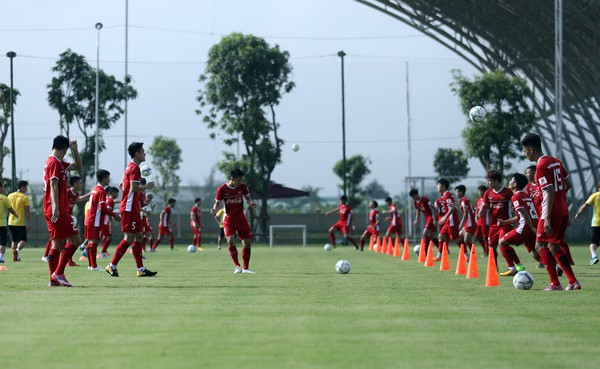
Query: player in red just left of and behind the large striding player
x=94 y=218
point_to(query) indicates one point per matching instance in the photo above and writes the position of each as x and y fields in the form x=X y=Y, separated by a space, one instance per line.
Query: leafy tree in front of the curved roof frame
x=495 y=140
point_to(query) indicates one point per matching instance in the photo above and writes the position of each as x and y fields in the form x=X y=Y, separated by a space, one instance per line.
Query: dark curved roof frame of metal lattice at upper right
x=517 y=36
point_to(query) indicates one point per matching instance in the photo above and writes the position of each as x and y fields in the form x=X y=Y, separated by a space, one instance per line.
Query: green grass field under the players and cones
x=296 y=312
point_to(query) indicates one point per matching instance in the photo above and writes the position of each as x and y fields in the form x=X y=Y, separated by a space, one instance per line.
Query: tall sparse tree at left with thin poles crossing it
x=72 y=93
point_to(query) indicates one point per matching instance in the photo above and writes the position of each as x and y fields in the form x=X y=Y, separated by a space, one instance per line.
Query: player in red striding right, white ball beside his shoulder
x=131 y=219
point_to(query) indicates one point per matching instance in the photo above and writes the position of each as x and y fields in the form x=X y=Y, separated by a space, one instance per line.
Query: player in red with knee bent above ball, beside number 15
x=526 y=218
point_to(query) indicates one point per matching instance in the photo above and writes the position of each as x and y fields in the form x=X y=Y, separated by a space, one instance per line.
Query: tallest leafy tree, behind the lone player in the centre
x=243 y=81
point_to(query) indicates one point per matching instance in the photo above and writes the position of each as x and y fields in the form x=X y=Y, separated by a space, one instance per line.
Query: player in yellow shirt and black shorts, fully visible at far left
x=19 y=225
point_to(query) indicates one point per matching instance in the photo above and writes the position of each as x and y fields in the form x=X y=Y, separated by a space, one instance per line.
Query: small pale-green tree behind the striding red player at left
x=166 y=158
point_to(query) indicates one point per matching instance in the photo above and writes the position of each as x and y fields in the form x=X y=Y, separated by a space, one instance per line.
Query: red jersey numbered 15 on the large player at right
x=549 y=171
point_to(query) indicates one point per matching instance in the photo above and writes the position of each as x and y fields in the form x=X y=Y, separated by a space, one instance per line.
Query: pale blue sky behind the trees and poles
x=168 y=48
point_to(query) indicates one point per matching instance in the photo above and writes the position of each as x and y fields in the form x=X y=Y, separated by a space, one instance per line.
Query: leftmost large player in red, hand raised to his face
x=56 y=209
